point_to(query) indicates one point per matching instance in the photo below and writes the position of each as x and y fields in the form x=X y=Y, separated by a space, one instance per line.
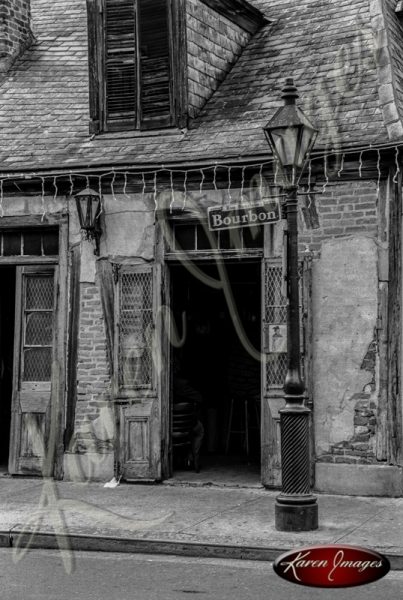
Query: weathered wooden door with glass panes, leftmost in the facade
x=34 y=350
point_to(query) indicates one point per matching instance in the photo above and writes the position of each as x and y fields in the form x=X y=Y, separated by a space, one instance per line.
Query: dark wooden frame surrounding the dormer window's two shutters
x=97 y=77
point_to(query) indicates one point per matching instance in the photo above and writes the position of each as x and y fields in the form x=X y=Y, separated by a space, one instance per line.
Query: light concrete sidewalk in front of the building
x=188 y=520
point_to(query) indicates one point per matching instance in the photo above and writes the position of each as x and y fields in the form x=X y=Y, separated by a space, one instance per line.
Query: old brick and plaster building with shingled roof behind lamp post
x=158 y=107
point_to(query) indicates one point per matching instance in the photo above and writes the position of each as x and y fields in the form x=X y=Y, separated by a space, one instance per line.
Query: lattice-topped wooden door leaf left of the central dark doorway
x=139 y=371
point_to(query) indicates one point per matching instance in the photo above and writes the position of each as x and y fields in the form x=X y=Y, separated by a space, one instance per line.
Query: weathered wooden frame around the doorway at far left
x=54 y=465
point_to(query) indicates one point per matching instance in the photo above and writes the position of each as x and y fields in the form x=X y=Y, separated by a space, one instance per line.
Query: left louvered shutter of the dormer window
x=120 y=64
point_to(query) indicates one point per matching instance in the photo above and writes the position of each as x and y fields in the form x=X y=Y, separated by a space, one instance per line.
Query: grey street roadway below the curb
x=41 y=575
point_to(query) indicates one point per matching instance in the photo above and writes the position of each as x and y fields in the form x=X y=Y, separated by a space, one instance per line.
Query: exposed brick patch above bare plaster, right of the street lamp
x=343 y=209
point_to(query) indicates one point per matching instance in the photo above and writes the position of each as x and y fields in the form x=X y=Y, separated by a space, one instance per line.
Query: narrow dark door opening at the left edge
x=7 y=316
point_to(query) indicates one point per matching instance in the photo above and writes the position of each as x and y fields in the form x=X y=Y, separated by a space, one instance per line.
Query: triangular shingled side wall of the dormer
x=214 y=44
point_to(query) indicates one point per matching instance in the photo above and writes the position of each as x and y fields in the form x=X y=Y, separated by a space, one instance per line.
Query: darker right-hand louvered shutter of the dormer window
x=155 y=72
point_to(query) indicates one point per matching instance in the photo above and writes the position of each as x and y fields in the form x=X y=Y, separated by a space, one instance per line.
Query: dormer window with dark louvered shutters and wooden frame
x=134 y=54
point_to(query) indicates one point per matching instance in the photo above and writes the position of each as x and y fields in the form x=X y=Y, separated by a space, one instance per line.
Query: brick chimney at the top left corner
x=15 y=30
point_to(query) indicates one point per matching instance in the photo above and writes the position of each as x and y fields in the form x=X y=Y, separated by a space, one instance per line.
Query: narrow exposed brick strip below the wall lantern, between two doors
x=93 y=376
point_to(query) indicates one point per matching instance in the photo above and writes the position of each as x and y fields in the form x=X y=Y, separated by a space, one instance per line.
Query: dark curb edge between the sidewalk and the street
x=49 y=541
